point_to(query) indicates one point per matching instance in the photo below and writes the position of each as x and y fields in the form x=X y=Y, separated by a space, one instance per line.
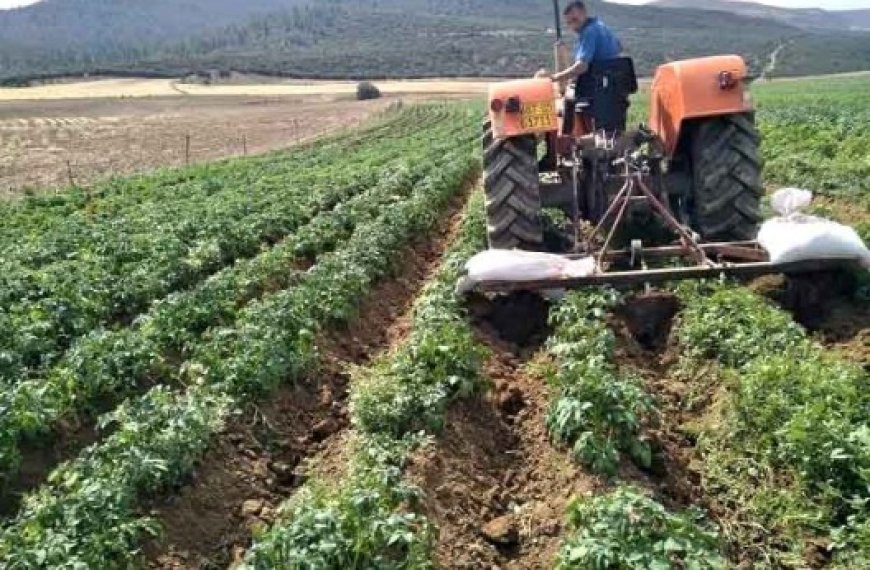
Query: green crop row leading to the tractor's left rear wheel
x=369 y=520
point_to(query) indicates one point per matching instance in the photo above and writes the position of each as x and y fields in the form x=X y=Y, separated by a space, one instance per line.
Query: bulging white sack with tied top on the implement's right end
x=799 y=237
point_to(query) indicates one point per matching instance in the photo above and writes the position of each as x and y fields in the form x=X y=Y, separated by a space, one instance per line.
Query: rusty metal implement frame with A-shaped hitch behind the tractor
x=711 y=260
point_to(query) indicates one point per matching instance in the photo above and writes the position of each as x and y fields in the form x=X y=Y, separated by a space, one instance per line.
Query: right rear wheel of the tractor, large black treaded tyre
x=726 y=178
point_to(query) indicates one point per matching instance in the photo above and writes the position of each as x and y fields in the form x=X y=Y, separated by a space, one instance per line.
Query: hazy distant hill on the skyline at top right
x=807 y=18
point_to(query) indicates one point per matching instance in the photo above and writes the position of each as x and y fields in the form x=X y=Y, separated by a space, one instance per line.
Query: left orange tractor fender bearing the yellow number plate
x=522 y=107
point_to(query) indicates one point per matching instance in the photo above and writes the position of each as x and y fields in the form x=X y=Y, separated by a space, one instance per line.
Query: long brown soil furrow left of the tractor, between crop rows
x=263 y=457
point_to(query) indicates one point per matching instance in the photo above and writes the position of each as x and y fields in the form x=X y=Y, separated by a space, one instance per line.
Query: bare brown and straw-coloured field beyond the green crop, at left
x=84 y=132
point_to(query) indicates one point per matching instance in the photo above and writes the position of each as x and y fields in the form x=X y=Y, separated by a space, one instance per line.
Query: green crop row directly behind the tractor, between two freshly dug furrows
x=599 y=411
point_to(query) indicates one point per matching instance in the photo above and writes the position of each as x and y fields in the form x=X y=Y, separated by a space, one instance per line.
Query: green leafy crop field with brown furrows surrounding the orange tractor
x=261 y=363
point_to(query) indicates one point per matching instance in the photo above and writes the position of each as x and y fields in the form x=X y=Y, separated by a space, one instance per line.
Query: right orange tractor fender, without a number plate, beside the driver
x=697 y=88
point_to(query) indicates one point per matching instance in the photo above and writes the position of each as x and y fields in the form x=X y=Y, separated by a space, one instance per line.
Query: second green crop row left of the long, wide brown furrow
x=106 y=365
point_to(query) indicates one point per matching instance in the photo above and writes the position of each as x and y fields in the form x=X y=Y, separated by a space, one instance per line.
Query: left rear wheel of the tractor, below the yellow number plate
x=513 y=194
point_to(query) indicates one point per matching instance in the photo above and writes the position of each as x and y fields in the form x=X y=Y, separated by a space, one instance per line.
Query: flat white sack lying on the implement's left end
x=521 y=266
